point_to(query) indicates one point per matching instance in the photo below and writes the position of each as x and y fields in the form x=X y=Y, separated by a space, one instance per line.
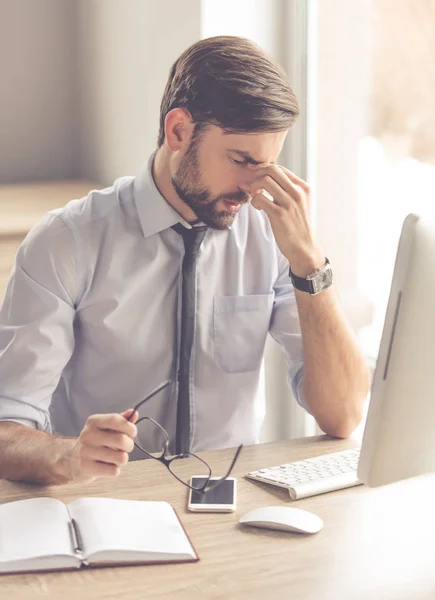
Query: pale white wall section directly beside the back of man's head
x=126 y=51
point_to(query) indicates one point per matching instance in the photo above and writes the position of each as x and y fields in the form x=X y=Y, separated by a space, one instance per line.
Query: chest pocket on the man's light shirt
x=240 y=325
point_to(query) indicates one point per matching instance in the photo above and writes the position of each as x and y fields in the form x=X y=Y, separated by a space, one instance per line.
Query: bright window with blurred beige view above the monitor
x=397 y=153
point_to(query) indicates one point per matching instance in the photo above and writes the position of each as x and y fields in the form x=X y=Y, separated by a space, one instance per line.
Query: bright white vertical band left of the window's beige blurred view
x=339 y=81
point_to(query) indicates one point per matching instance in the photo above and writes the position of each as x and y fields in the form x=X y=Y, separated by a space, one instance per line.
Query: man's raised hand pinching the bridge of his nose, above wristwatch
x=288 y=213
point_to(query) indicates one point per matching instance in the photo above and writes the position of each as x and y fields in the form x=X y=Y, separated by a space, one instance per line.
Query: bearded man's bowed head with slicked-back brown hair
x=226 y=106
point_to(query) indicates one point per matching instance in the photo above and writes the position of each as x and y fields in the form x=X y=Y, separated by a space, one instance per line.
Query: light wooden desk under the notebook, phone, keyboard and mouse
x=364 y=551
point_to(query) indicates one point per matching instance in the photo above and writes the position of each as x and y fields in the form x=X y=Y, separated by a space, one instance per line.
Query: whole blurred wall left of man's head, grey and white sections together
x=81 y=83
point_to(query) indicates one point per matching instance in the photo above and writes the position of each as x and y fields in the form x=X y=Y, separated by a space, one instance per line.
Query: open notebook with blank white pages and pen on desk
x=44 y=534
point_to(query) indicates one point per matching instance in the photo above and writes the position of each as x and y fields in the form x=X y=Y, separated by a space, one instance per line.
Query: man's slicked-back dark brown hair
x=231 y=82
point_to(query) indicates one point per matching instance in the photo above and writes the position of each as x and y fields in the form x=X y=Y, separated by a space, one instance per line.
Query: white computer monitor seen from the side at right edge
x=399 y=436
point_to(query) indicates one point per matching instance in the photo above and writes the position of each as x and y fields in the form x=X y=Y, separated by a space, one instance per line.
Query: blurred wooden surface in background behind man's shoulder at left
x=22 y=205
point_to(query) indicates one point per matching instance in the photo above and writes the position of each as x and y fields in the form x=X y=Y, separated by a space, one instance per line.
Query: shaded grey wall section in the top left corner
x=38 y=90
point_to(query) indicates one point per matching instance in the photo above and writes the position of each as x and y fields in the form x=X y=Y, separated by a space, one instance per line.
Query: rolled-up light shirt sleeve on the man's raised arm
x=285 y=329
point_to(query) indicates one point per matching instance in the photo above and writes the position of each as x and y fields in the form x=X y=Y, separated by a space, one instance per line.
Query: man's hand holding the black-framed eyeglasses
x=103 y=446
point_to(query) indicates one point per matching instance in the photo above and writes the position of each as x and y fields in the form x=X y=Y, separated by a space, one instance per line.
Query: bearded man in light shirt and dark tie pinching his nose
x=93 y=315
